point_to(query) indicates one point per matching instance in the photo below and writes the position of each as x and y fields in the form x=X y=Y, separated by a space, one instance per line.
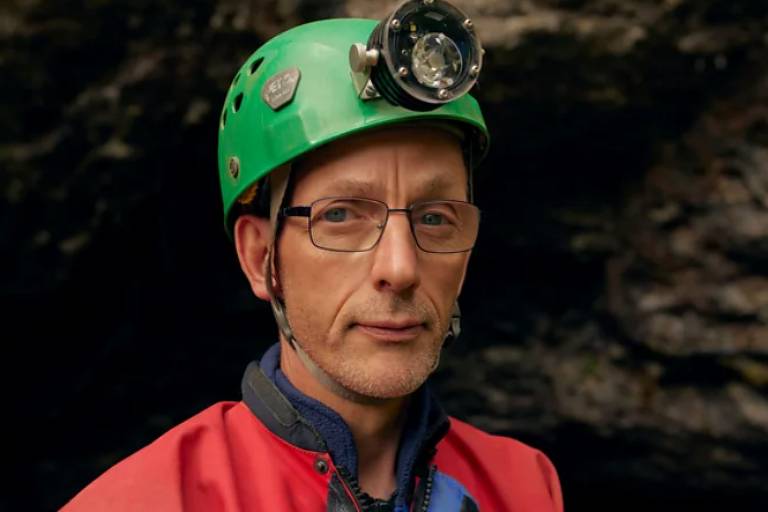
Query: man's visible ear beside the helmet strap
x=252 y=238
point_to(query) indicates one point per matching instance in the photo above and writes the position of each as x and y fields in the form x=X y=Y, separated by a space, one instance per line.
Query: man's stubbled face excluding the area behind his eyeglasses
x=375 y=321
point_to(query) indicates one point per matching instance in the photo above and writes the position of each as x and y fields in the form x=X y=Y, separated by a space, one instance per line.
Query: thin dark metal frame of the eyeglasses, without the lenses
x=306 y=211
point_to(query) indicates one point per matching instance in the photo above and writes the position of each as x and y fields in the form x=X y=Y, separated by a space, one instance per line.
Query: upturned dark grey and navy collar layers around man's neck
x=308 y=424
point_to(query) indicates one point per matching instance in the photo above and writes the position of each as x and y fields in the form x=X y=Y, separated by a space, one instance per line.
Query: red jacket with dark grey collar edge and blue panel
x=256 y=455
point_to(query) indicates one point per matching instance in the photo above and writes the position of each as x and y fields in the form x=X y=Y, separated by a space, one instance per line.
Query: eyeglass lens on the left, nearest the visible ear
x=347 y=224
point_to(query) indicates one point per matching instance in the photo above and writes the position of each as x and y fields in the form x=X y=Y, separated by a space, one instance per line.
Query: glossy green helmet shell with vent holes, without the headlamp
x=297 y=93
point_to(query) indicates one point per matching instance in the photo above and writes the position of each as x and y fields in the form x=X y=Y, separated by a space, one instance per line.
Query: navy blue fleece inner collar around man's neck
x=425 y=425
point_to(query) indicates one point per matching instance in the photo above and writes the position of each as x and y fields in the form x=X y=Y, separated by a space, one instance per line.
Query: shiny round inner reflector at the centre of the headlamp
x=436 y=61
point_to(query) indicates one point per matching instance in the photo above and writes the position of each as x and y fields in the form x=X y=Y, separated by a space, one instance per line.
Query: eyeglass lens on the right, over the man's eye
x=445 y=226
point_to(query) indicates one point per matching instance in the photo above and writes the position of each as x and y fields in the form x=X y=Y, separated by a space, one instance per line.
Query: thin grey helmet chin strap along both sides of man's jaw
x=279 y=180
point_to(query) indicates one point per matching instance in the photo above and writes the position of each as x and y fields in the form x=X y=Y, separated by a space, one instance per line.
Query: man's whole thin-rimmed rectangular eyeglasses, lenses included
x=355 y=224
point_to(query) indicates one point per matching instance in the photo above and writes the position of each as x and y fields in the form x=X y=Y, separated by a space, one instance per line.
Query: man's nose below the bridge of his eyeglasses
x=395 y=265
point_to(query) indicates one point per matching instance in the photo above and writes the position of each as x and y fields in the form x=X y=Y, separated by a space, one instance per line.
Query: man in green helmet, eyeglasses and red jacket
x=352 y=216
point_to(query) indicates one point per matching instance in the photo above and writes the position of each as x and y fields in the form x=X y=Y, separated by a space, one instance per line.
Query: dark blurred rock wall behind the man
x=616 y=313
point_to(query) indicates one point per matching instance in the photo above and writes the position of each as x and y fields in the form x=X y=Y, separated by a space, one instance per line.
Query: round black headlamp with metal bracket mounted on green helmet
x=423 y=55
